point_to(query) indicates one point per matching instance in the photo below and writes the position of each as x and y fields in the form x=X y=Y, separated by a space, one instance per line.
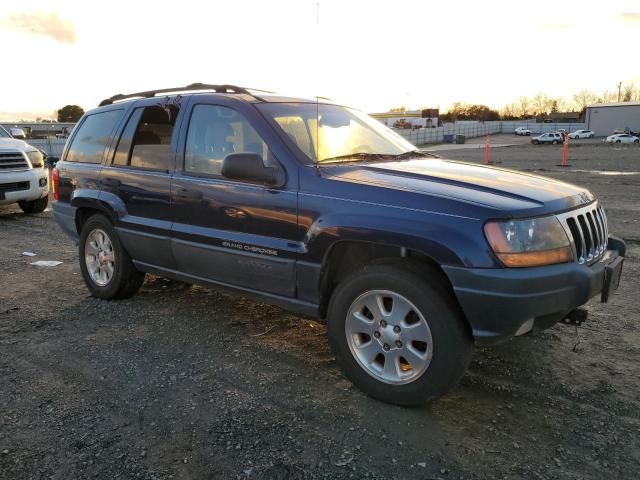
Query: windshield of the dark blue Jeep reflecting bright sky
x=340 y=134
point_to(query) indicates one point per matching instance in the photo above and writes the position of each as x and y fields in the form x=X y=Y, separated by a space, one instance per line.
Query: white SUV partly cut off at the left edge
x=23 y=177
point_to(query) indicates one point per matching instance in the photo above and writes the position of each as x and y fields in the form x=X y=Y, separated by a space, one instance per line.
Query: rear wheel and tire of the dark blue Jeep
x=124 y=279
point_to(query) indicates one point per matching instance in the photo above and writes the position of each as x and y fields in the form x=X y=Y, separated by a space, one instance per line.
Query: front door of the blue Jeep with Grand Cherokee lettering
x=228 y=231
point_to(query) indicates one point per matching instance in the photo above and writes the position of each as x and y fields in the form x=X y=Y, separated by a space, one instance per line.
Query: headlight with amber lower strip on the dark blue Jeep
x=529 y=243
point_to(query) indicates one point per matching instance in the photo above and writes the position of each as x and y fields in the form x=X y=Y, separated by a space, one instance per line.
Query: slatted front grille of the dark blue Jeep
x=587 y=228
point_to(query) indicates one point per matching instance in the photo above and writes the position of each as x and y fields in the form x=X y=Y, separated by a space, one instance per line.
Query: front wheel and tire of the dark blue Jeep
x=443 y=355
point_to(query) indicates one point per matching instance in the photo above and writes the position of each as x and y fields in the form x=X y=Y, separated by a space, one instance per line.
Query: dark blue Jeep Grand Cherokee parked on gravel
x=316 y=207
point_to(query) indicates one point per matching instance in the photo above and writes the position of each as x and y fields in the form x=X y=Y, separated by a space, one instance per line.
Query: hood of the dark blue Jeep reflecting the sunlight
x=481 y=185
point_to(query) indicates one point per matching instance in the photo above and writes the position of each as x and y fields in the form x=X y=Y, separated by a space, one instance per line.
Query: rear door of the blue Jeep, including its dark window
x=138 y=174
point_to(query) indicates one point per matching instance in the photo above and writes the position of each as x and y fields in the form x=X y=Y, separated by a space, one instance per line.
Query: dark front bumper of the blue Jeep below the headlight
x=502 y=303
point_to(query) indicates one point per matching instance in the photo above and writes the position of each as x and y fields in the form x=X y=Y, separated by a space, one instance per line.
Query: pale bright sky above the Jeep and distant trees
x=372 y=54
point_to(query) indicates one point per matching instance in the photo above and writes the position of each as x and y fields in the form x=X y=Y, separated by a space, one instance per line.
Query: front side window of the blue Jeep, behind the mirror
x=215 y=132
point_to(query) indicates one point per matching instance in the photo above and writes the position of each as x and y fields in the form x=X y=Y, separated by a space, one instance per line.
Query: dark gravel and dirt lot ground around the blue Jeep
x=184 y=382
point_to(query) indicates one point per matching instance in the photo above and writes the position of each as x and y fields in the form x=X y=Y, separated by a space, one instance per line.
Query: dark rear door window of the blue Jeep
x=146 y=140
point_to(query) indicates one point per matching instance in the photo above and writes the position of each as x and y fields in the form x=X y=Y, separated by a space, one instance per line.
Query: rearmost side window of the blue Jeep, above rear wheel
x=89 y=143
